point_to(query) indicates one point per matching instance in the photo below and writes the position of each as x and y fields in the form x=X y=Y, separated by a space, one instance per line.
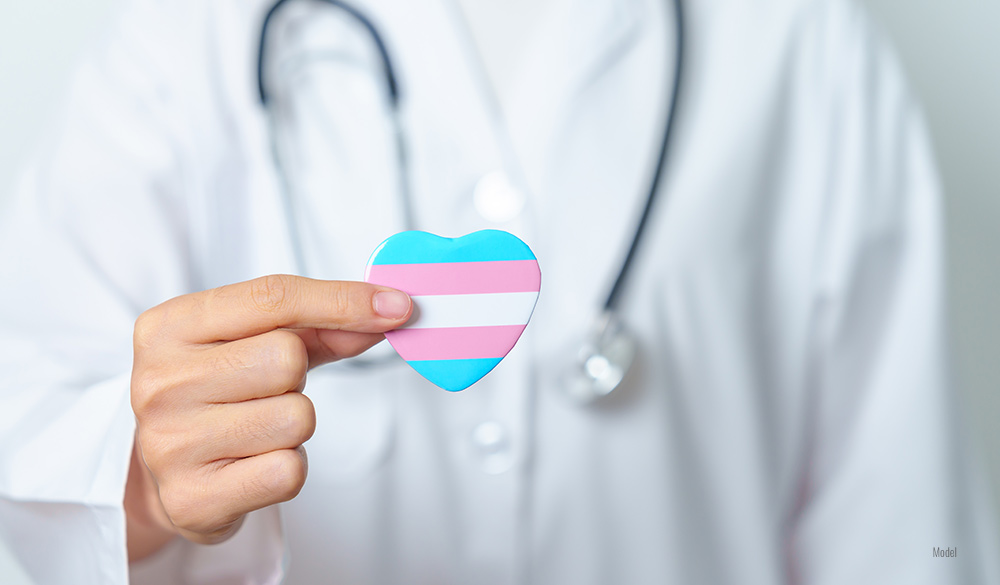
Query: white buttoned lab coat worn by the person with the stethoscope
x=789 y=418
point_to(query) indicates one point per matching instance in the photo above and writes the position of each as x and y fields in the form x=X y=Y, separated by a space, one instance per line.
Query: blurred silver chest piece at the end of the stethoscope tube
x=602 y=361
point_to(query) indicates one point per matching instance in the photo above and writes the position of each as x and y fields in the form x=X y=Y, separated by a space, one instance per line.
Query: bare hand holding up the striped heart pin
x=216 y=389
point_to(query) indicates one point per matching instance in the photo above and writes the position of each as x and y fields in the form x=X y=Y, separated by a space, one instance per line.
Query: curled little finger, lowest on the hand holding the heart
x=209 y=509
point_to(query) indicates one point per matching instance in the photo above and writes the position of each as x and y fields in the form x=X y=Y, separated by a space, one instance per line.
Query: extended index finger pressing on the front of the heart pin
x=245 y=309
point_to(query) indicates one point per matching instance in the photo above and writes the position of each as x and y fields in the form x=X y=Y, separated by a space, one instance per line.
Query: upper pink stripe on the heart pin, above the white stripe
x=458 y=278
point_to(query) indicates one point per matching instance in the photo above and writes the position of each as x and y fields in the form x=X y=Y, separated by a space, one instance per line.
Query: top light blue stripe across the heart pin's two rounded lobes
x=423 y=248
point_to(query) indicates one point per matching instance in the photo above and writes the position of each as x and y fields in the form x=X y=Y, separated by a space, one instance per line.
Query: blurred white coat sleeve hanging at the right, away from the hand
x=889 y=478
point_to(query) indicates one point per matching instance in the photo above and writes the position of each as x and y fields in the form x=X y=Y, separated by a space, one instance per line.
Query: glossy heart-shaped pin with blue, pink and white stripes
x=472 y=298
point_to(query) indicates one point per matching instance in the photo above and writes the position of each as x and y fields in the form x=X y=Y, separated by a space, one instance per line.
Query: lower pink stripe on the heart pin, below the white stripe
x=455 y=343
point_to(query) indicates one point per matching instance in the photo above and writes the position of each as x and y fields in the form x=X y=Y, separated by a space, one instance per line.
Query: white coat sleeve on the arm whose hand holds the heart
x=98 y=231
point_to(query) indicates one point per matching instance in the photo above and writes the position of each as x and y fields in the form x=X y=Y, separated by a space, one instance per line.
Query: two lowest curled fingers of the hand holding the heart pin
x=228 y=460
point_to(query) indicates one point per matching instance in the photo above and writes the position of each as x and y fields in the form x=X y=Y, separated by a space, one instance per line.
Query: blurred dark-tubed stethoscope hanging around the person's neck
x=609 y=348
